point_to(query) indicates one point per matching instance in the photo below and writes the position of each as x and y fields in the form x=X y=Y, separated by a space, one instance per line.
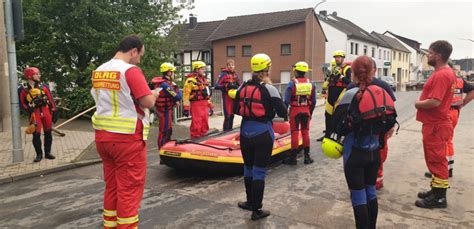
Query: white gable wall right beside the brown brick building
x=337 y=40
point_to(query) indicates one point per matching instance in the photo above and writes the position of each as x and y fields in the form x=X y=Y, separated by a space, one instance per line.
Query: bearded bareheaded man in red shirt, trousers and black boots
x=437 y=129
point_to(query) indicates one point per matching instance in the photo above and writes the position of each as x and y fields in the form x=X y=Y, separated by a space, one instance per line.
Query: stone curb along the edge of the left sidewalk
x=9 y=178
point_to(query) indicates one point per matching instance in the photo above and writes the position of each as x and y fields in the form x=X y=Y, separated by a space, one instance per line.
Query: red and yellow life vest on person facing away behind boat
x=301 y=92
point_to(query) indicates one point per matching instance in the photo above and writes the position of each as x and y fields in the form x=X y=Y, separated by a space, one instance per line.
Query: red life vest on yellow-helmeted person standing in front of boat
x=250 y=100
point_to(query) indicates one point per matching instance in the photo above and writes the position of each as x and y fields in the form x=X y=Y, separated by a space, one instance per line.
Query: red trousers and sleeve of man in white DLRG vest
x=124 y=163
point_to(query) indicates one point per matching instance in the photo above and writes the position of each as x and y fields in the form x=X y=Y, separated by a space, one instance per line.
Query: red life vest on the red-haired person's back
x=375 y=102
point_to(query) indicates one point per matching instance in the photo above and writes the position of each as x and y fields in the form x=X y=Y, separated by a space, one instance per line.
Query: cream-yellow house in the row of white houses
x=398 y=61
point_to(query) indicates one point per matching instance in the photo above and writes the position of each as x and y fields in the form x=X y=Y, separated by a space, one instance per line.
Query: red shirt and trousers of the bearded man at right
x=437 y=125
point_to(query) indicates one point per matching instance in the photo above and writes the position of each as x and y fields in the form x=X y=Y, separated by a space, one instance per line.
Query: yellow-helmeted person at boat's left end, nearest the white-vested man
x=169 y=97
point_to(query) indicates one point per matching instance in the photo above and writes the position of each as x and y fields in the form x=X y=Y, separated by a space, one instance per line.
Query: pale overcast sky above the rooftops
x=423 y=21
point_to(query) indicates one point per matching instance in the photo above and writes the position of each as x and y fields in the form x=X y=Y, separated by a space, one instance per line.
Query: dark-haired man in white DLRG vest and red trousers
x=121 y=124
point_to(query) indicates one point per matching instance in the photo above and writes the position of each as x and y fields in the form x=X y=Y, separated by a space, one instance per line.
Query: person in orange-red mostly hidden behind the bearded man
x=461 y=87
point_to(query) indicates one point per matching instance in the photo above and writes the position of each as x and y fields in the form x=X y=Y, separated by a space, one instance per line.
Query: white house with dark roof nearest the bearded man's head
x=415 y=57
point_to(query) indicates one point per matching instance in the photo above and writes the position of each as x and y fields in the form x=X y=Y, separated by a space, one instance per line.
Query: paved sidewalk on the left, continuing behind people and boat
x=77 y=149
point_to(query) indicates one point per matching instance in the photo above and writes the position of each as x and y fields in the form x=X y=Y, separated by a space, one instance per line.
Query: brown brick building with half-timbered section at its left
x=286 y=36
